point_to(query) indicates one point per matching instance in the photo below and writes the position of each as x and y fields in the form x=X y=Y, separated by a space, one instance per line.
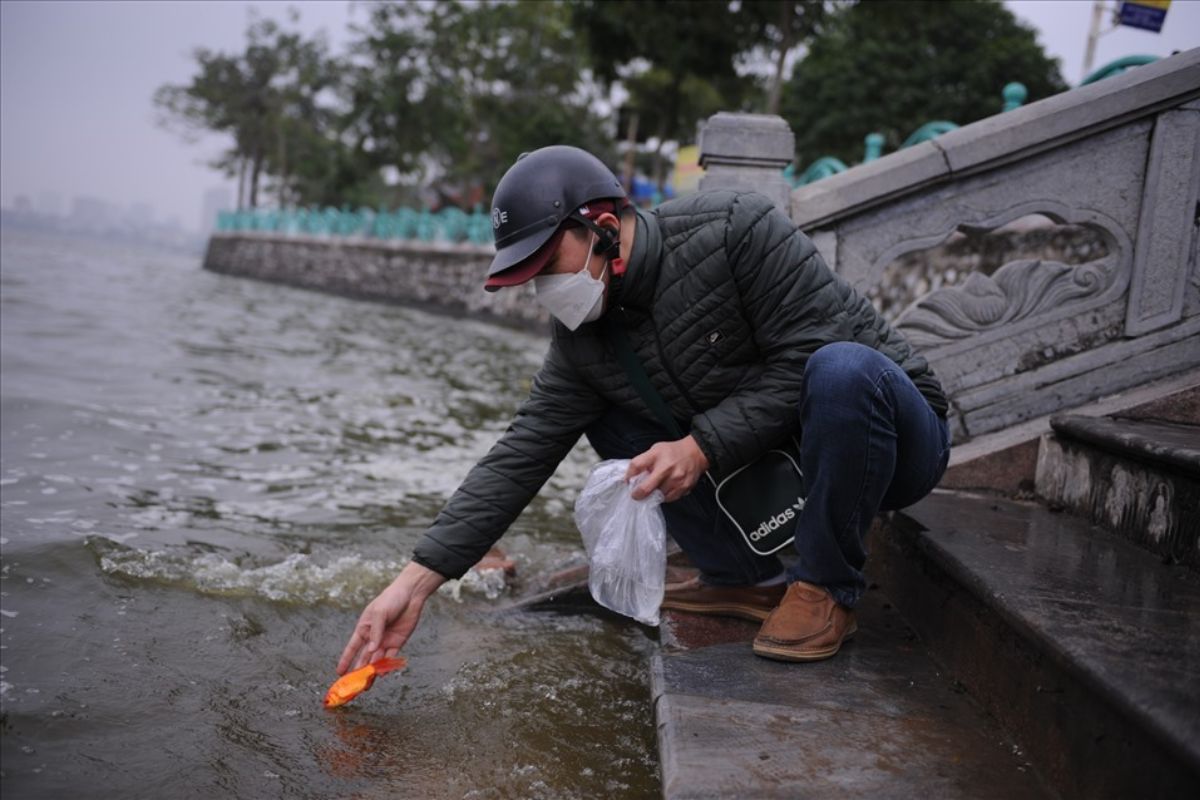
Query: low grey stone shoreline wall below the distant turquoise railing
x=443 y=278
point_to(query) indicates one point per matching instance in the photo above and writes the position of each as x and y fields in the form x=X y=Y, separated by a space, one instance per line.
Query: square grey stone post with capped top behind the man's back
x=748 y=152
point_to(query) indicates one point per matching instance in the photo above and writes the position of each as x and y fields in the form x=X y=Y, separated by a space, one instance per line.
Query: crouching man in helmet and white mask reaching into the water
x=751 y=340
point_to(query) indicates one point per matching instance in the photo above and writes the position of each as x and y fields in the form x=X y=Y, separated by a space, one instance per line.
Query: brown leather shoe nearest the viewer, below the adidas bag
x=809 y=625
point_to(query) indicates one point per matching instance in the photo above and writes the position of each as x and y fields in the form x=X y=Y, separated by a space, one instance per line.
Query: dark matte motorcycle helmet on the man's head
x=538 y=194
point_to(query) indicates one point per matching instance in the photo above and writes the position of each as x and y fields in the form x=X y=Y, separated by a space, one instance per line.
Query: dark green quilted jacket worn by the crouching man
x=724 y=300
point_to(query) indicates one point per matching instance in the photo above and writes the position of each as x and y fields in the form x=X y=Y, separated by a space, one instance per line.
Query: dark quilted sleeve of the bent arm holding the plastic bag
x=795 y=305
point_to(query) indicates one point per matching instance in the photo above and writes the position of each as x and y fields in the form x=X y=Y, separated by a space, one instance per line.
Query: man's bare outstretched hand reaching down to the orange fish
x=388 y=621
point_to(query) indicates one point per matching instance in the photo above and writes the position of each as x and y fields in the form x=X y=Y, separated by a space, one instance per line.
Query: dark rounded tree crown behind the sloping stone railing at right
x=890 y=68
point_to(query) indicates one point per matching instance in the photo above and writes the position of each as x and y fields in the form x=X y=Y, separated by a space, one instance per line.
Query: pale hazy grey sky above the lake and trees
x=76 y=82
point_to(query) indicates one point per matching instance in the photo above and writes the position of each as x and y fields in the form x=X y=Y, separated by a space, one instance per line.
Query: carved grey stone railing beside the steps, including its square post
x=1117 y=163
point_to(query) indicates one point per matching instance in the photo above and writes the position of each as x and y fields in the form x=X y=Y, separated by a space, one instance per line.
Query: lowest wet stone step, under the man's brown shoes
x=877 y=721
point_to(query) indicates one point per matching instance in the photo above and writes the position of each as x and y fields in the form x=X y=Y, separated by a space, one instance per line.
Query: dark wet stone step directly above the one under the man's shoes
x=1084 y=647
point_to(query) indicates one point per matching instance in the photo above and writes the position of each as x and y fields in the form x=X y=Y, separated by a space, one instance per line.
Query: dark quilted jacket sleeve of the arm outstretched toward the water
x=545 y=429
